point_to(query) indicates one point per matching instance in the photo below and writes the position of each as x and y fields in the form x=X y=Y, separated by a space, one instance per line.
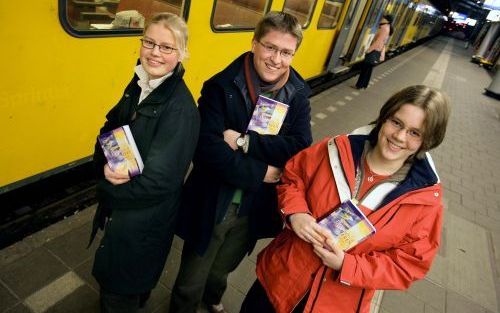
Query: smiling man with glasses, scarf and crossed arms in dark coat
x=229 y=199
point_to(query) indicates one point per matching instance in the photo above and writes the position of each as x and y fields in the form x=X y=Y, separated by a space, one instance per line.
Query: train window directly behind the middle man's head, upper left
x=238 y=14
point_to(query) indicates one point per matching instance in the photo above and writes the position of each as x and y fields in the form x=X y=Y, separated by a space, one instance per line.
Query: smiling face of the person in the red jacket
x=400 y=136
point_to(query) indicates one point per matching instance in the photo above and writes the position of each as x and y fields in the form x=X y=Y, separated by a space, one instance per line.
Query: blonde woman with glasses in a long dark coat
x=138 y=214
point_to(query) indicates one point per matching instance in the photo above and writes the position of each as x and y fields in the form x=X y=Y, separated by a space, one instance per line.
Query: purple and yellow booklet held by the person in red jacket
x=348 y=225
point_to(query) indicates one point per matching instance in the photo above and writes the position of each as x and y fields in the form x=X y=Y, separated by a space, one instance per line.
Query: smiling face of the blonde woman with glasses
x=156 y=63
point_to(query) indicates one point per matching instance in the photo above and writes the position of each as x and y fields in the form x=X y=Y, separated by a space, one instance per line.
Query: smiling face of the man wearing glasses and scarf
x=271 y=65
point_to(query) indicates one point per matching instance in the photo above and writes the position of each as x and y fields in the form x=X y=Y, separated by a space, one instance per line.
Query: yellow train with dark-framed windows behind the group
x=66 y=62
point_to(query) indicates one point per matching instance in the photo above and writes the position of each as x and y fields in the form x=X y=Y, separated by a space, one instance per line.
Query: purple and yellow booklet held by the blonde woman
x=121 y=151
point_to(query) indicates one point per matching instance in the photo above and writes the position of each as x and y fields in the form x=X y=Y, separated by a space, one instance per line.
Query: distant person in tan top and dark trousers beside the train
x=376 y=52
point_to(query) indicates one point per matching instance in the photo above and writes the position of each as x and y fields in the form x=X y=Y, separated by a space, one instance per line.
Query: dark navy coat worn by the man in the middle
x=218 y=170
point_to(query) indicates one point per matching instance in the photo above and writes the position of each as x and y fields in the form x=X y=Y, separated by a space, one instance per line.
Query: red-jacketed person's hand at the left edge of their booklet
x=305 y=226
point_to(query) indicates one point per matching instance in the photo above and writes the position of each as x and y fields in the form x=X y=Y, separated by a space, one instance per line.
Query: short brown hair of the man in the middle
x=279 y=21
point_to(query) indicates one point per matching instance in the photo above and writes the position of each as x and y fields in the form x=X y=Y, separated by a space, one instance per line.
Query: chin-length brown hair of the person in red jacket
x=435 y=104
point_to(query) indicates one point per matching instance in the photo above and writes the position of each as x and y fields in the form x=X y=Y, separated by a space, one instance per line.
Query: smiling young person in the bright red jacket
x=303 y=270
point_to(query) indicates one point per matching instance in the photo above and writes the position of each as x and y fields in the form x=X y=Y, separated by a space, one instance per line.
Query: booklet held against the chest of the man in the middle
x=268 y=116
